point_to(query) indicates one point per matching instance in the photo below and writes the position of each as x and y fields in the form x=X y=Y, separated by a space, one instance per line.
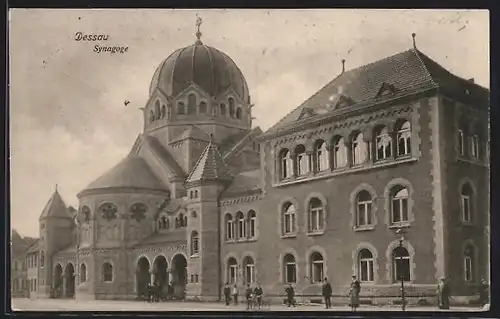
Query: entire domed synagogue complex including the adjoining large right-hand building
x=204 y=199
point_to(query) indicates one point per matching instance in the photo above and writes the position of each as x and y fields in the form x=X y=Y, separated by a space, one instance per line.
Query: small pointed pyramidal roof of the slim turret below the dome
x=210 y=167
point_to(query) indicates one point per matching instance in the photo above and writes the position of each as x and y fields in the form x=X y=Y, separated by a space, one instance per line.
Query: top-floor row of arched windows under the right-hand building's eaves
x=340 y=153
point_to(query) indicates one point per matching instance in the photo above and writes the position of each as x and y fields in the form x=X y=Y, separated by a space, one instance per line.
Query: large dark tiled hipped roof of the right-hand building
x=407 y=72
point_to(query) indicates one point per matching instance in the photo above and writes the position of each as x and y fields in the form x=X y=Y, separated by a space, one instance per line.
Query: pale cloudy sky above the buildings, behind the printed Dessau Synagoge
x=68 y=121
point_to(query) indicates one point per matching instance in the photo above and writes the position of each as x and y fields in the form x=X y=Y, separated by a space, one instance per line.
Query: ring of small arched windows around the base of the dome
x=193 y=107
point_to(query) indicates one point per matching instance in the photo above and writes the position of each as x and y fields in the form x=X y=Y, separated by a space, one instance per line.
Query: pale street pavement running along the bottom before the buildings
x=111 y=305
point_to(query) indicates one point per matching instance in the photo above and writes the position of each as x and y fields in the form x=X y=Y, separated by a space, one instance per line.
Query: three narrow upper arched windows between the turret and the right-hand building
x=241 y=226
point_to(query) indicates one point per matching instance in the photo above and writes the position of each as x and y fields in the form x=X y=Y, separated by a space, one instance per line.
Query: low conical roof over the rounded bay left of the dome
x=131 y=172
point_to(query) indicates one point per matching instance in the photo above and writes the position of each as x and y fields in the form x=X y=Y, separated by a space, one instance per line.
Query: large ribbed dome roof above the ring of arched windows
x=207 y=67
